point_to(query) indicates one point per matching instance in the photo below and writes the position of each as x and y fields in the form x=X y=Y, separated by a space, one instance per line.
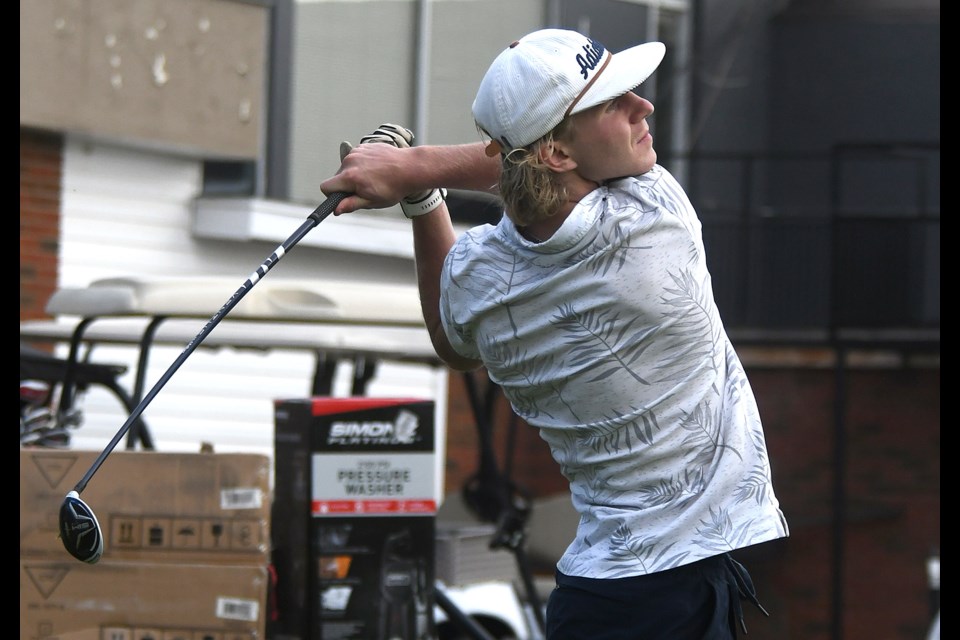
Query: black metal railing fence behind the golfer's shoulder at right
x=845 y=243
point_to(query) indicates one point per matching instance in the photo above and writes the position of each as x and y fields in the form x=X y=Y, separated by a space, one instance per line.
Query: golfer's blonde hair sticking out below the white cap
x=530 y=190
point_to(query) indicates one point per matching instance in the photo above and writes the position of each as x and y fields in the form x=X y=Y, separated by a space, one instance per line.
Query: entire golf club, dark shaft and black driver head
x=79 y=529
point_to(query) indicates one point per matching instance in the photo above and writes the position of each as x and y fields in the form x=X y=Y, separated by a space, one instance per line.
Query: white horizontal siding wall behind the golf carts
x=127 y=212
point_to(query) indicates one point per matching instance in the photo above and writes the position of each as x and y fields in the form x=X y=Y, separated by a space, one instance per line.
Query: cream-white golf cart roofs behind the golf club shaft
x=381 y=321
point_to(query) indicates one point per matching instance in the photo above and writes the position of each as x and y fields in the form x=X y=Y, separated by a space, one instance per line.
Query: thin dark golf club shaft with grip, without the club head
x=321 y=212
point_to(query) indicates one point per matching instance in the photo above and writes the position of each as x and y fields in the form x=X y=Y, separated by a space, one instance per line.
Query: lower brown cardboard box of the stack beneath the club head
x=71 y=600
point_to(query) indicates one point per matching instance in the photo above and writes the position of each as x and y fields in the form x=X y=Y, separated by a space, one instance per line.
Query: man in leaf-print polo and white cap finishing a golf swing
x=590 y=304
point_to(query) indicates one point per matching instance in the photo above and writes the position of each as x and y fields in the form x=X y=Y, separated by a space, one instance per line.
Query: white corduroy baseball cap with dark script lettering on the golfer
x=550 y=74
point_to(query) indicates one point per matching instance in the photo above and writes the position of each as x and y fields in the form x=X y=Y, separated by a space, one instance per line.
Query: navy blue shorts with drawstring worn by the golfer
x=699 y=601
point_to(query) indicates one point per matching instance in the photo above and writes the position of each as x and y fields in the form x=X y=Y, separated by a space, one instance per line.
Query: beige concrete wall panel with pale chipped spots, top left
x=178 y=74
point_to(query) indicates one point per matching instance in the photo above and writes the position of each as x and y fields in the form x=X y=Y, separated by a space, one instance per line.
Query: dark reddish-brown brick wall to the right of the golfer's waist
x=889 y=443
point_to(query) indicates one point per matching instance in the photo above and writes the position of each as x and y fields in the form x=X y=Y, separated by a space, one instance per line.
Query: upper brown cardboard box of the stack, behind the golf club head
x=152 y=507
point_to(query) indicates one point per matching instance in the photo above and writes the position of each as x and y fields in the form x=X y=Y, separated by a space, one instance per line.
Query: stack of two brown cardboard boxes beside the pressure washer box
x=186 y=547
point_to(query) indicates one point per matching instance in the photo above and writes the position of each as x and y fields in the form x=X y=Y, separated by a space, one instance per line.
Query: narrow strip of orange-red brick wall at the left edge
x=40 y=165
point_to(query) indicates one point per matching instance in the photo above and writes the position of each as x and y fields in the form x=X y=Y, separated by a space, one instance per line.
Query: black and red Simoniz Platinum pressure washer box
x=355 y=500
